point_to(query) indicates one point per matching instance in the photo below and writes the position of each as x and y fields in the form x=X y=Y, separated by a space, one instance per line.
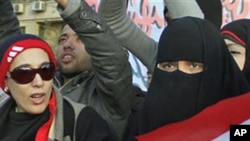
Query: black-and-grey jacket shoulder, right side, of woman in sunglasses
x=87 y=122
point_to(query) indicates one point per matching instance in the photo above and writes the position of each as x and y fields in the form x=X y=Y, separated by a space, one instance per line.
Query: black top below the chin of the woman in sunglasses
x=20 y=126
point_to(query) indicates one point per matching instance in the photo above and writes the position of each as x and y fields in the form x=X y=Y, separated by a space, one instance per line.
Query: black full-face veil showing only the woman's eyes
x=175 y=96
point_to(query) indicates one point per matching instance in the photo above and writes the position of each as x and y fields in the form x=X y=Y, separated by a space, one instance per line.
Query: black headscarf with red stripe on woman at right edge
x=239 y=31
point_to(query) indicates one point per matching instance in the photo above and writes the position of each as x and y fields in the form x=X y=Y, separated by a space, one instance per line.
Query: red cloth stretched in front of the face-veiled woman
x=206 y=125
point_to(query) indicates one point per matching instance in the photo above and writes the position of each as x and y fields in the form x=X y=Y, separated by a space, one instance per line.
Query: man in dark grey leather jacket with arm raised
x=93 y=67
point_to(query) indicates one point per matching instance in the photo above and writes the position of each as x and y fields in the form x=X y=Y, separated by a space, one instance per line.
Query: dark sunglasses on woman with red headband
x=23 y=75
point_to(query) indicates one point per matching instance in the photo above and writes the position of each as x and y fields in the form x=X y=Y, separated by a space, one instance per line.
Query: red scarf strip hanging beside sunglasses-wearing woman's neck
x=43 y=132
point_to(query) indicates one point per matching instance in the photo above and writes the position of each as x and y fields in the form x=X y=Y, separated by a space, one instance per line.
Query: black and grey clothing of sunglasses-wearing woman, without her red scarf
x=73 y=122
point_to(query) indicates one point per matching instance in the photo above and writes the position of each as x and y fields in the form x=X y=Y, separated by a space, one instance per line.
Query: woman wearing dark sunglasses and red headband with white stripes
x=35 y=110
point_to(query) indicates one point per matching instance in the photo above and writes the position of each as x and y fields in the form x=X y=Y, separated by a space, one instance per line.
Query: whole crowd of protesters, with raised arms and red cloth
x=84 y=92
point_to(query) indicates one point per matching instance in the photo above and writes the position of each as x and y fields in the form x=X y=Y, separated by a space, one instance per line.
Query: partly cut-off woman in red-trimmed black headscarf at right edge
x=237 y=37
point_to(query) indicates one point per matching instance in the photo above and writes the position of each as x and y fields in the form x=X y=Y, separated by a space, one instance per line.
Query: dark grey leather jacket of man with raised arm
x=107 y=88
